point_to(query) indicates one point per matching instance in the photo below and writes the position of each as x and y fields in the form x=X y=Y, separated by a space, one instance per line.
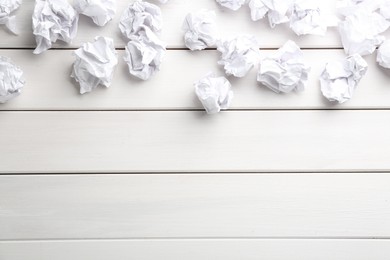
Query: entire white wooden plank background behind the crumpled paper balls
x=139 y=171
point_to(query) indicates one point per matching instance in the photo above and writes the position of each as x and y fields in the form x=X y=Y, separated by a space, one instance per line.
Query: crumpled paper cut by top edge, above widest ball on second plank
x=276 y=10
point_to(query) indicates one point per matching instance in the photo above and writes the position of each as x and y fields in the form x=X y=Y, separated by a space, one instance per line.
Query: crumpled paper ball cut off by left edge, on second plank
x=11 y=82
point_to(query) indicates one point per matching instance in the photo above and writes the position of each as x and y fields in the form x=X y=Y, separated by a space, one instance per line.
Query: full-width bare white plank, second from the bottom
x=195 y=206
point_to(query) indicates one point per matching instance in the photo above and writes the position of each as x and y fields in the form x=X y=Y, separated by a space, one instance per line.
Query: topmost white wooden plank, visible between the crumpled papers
x=229 y=22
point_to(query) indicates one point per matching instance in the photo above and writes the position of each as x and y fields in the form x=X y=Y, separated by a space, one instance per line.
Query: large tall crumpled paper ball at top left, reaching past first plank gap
x=53 y=20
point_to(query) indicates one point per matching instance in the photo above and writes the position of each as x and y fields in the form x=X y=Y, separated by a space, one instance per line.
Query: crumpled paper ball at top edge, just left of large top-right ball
x=306 y=18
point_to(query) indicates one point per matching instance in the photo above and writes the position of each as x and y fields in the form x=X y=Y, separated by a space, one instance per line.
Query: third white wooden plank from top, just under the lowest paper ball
x=194 y=142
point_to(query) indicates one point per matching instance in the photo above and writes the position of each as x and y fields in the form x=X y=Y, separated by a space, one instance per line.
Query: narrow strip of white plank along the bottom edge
x=191 y=249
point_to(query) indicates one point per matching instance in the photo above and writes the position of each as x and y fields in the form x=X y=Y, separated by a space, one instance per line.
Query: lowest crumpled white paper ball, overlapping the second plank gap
x=214 y=92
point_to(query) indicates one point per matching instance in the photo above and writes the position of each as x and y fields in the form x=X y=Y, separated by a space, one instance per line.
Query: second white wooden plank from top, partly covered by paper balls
x=172 y=87
